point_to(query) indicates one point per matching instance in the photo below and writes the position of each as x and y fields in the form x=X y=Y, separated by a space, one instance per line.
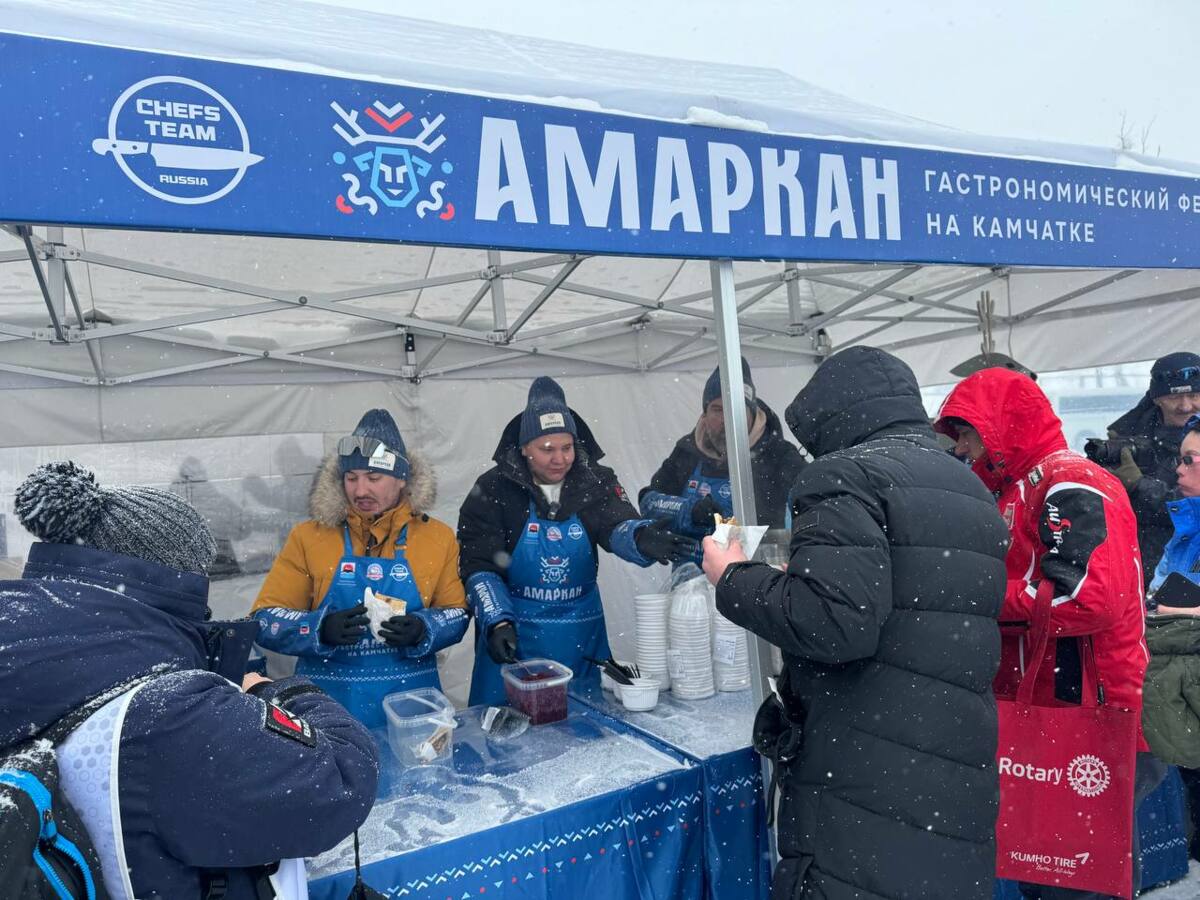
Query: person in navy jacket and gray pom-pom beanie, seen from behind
x=209 y=784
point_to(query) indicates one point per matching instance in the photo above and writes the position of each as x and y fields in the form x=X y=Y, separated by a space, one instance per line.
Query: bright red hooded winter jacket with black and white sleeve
x=1073 y=537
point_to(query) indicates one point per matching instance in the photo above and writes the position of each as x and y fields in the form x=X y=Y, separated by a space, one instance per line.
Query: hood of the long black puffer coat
x=856 y=394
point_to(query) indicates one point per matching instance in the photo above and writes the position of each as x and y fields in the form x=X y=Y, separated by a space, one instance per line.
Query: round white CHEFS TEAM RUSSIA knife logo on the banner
x=178 y=141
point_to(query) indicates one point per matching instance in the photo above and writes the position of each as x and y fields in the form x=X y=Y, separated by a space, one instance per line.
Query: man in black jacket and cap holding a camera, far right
x=1143 y=447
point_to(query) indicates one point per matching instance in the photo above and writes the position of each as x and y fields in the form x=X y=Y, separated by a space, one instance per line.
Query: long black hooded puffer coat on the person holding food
x=887 y=620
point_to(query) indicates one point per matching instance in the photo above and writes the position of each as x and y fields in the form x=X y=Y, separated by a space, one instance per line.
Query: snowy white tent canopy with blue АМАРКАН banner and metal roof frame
x=1072 y=284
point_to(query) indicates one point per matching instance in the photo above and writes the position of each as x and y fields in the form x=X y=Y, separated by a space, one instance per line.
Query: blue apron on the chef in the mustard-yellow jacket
x=361 y=676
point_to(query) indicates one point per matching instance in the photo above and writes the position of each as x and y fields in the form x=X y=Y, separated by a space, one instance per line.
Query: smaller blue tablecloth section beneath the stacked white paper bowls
x=716 y=735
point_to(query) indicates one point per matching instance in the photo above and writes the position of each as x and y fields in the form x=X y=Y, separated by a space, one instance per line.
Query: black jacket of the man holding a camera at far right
x=1159 y=479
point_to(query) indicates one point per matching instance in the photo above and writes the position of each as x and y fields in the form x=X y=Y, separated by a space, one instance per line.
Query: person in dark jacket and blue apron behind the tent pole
x=694 y=482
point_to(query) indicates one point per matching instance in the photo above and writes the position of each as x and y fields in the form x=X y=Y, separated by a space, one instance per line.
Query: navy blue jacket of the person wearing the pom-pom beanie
x=205 y=784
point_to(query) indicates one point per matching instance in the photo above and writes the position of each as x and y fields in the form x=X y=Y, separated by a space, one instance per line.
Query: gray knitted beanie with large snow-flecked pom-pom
x=62 y=503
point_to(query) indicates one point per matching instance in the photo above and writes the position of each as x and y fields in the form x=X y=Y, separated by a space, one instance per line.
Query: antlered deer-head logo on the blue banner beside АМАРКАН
x=393 y=159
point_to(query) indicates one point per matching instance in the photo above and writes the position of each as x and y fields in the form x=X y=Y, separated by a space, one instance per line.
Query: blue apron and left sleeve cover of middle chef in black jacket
x=553 y=585
